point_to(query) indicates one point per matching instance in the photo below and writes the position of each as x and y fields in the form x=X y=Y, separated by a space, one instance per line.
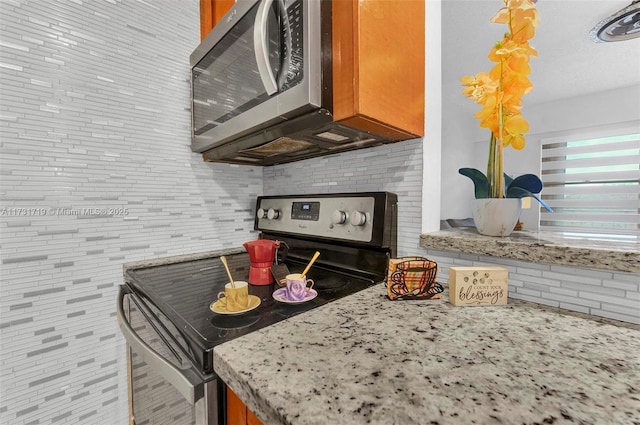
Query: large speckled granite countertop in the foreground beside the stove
x=366 y=360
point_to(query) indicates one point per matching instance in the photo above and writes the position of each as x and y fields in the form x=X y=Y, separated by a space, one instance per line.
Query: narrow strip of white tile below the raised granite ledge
x=604 y=293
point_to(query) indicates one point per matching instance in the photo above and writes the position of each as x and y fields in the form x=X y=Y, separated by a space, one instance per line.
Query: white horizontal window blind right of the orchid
x=593 y=184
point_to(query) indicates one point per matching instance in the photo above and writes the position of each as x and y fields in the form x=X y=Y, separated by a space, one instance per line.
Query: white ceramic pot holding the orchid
x=496 y=217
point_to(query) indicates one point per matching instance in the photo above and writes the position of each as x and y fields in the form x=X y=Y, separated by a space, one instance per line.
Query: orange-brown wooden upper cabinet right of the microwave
x=378 y=66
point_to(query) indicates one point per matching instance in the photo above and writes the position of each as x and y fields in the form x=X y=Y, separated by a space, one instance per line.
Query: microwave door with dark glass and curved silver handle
x=259 y=57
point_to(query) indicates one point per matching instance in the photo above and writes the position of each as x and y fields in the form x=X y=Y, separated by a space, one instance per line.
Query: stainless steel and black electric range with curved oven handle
x=164 y=311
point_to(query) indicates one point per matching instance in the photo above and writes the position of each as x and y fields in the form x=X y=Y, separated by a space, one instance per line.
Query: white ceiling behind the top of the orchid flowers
x=568 y=62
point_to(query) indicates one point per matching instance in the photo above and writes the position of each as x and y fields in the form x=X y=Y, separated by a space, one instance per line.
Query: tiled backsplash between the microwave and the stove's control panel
x=393 y=168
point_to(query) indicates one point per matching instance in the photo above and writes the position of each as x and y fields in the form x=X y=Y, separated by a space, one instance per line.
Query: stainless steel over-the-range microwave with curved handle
x=260 y=66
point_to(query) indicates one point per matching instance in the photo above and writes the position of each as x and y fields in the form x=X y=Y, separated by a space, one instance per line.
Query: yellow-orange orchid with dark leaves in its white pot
x=500 y=93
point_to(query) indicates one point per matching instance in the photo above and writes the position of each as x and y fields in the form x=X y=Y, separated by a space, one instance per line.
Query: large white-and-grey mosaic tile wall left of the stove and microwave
x=96 y=171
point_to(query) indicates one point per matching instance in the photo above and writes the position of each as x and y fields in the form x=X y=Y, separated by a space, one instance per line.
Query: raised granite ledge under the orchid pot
x=539 y=247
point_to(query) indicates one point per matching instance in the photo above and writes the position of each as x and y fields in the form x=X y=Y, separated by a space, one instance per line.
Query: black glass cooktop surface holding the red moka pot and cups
x=184 y=292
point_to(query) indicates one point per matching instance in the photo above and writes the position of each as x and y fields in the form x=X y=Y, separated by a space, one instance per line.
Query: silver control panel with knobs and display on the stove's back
x=340 y=217
